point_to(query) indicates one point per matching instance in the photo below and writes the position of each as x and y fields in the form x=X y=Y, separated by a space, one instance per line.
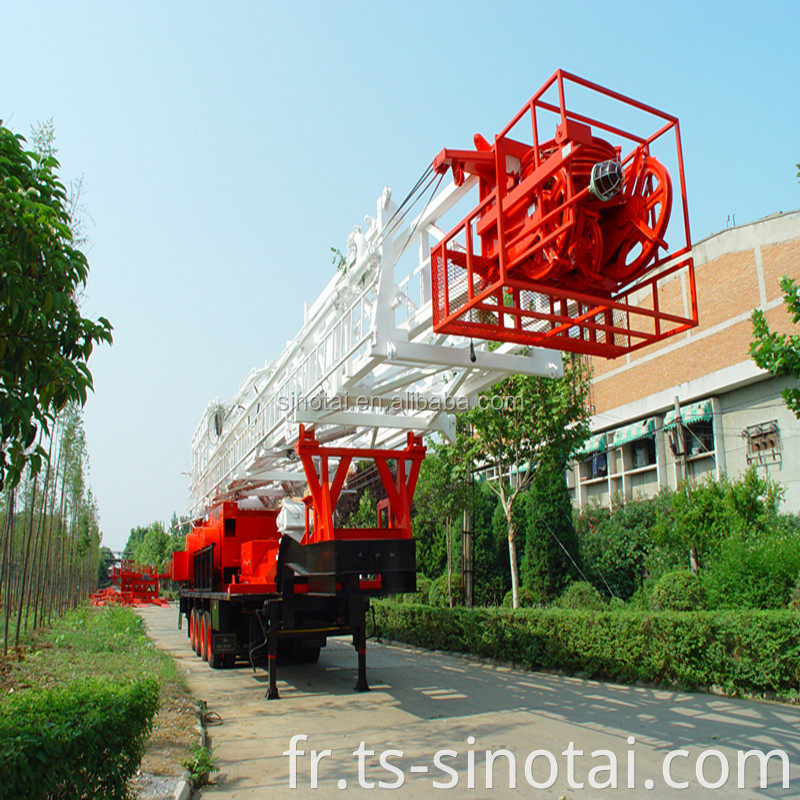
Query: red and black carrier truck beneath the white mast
x=251 y=590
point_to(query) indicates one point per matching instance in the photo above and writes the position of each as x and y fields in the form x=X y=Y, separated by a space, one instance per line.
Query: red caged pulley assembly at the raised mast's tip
x=566 y=247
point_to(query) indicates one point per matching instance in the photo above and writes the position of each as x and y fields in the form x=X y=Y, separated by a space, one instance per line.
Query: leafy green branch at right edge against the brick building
x=779 y=353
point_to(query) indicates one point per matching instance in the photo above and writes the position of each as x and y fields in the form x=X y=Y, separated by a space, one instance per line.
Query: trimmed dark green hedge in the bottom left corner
x=82 y=741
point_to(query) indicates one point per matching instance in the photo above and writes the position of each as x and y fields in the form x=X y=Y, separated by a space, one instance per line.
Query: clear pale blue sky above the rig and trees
x=225 y=148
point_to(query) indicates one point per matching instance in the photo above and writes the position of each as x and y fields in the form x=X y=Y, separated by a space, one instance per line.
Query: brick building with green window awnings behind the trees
x=696 y=404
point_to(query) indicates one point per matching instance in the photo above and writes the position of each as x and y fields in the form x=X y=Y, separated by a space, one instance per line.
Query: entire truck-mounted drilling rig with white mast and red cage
x=552 y=237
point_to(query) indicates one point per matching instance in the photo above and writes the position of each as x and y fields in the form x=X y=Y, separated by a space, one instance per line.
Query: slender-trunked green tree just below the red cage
x=524 y=423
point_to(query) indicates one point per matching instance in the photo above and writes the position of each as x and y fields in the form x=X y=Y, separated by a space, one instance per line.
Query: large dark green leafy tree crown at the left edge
x=45 y=343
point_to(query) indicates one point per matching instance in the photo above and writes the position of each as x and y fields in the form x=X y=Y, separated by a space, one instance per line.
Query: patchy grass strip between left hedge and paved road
x=108 y=642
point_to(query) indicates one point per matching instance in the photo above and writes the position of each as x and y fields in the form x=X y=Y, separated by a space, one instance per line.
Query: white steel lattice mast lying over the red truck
x=365 y=367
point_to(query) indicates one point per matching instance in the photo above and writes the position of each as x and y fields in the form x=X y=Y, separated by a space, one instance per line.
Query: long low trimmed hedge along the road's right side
x=750 y=652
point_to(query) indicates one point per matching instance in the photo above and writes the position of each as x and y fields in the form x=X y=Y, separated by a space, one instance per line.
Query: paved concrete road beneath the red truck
x=424 y=703
